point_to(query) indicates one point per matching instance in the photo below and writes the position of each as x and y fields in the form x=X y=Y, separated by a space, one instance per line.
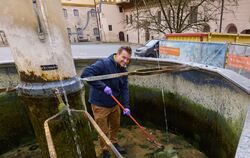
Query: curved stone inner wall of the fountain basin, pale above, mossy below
x=203 y=105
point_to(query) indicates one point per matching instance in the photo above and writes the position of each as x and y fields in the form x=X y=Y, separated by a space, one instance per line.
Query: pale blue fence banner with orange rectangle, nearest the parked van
x=199 y=52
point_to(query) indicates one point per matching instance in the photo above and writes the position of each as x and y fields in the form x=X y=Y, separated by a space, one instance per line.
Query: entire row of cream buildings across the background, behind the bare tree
x=112 y=20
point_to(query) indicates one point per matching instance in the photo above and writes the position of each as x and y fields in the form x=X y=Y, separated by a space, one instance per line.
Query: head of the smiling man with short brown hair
x=123 y=56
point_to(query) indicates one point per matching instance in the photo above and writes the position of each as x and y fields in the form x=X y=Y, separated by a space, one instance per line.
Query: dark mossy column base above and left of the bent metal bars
x=40 y=109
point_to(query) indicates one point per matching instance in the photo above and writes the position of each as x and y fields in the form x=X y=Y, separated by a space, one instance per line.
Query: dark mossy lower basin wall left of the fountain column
x=15 y=125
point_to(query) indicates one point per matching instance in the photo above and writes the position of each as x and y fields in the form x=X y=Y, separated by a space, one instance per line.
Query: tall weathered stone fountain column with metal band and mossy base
x=38 y=41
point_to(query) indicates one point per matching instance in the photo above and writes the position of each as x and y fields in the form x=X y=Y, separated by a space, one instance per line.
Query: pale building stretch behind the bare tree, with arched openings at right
x=236 y=20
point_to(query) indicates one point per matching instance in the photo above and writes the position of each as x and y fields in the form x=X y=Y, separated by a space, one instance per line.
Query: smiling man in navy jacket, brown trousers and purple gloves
x=106 y=111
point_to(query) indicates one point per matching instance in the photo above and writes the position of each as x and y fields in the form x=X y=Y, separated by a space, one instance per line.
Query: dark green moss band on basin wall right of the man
x=204 y=128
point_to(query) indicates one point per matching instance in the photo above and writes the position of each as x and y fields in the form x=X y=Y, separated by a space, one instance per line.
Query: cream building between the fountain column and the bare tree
x=91 y=20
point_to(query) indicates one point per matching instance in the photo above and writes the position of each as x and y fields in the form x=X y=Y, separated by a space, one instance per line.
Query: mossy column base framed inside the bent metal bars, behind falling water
x=63 y=135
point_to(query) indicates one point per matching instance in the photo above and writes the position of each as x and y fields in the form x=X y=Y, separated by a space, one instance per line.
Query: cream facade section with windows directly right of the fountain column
x=81 y=20
